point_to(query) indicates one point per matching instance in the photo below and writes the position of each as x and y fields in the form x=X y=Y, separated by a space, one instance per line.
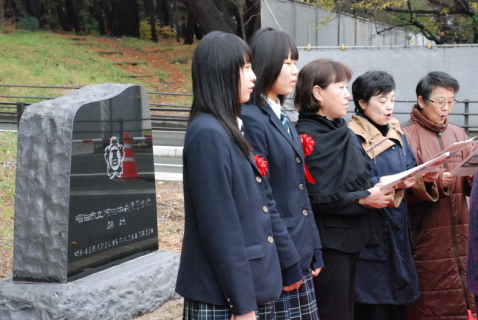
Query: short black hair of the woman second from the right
x=371 y=83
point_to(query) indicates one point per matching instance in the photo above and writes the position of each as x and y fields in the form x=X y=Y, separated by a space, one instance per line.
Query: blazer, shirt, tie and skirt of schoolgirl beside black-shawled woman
x=280 y=145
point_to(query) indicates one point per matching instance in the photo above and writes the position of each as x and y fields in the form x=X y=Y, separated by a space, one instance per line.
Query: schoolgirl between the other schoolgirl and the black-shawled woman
x=272 y=136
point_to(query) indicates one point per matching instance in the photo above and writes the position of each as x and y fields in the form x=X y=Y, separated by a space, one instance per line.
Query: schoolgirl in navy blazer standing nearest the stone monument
x=234 y=243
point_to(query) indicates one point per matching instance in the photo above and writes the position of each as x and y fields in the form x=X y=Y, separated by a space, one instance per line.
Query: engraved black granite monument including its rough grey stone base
x=86 y=239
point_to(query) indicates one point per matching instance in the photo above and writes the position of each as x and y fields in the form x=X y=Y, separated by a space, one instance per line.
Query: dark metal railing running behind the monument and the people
x=171 y=117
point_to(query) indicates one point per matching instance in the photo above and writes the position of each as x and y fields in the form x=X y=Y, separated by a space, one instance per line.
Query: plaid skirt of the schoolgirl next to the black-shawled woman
x=298 y=304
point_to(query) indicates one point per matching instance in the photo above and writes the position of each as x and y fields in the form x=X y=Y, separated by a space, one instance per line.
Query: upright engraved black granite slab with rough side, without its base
x=85 y=184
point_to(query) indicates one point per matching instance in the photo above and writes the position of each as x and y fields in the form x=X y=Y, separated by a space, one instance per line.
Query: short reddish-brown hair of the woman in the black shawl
x=320 y=72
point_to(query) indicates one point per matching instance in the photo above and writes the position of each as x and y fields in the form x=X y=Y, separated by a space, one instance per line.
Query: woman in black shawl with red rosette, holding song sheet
x=339 y=184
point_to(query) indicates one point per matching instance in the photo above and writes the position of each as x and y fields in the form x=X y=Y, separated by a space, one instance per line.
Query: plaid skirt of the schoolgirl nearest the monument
x=195 y=310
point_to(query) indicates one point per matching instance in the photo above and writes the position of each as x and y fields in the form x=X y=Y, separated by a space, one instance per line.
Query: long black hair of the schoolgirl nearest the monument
x=216 y=73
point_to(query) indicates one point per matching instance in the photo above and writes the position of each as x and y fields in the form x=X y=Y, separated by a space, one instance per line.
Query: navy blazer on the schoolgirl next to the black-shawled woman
x=285 y=157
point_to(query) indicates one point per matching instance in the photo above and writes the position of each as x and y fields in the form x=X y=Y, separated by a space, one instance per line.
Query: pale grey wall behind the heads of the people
x=401 y=53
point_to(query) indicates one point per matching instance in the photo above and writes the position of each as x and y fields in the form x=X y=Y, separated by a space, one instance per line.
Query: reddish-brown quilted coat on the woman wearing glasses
x=439 y=229
